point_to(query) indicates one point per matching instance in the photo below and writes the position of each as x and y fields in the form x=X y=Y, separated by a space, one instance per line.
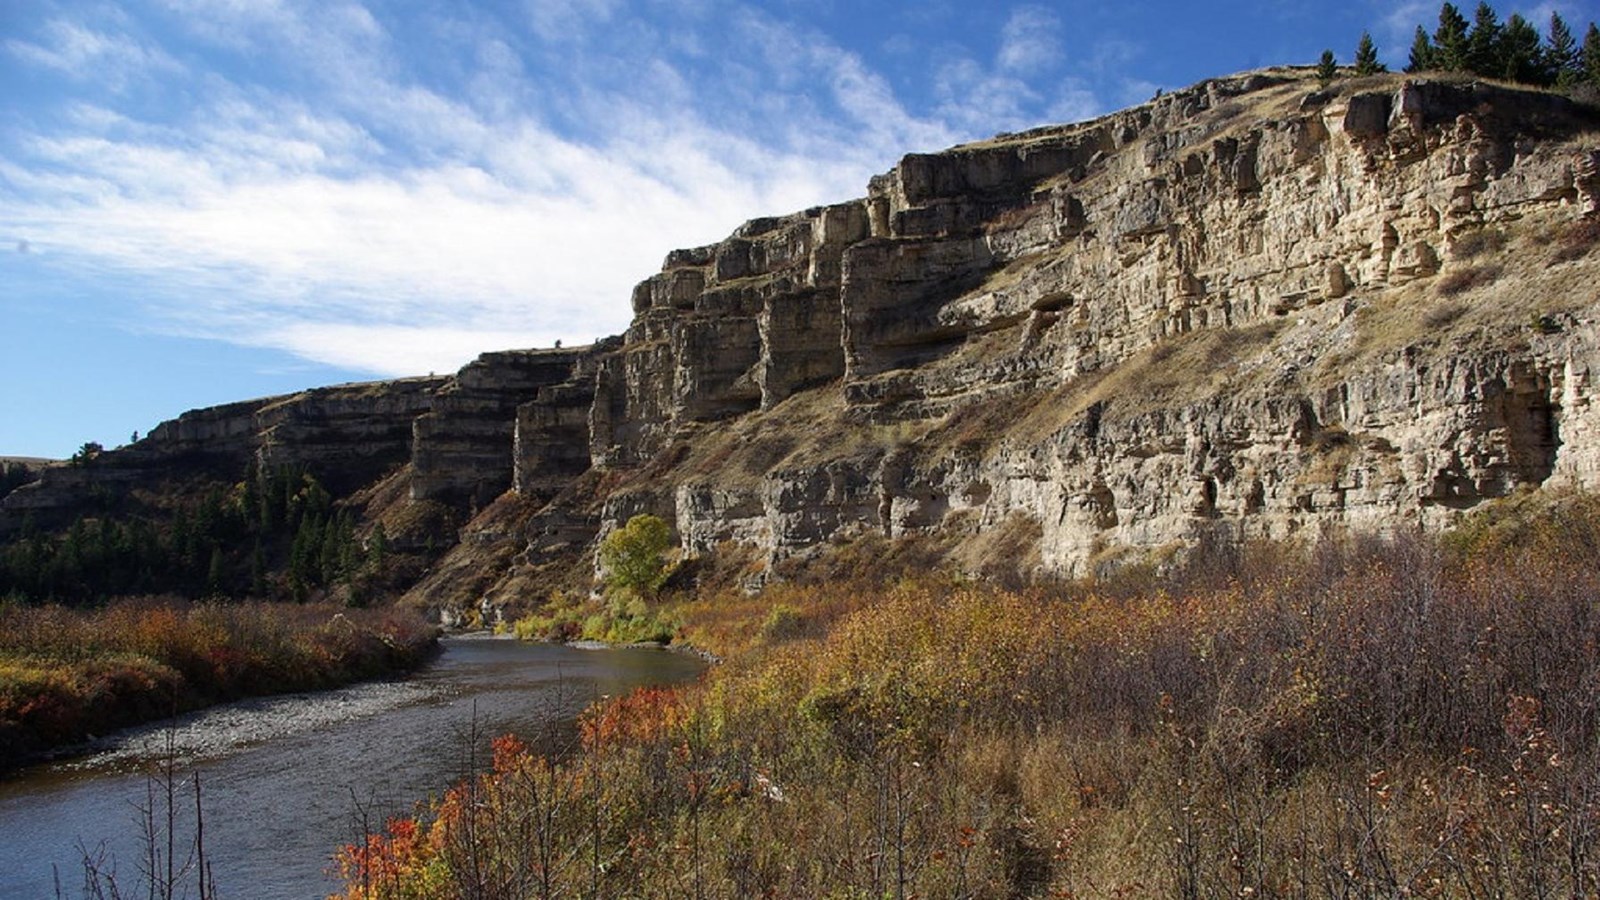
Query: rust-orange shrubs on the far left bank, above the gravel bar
x=68 y=677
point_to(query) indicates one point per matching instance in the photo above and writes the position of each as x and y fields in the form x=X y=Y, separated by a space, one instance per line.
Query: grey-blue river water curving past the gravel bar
x=287 y=781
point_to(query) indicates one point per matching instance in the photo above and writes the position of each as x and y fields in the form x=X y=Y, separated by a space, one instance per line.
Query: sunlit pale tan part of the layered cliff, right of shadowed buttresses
x=1225 y=313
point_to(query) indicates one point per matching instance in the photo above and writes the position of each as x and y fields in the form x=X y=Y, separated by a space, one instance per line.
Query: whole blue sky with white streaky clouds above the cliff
x=207 y=201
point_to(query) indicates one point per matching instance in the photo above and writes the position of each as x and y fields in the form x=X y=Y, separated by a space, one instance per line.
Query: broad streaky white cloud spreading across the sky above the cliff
x=330 y=196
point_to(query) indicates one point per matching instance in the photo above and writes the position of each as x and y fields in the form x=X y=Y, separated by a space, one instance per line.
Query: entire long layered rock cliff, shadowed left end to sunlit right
x=1246 y=310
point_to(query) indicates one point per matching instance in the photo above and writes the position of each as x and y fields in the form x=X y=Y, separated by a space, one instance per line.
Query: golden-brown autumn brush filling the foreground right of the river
x=1359 y=718
